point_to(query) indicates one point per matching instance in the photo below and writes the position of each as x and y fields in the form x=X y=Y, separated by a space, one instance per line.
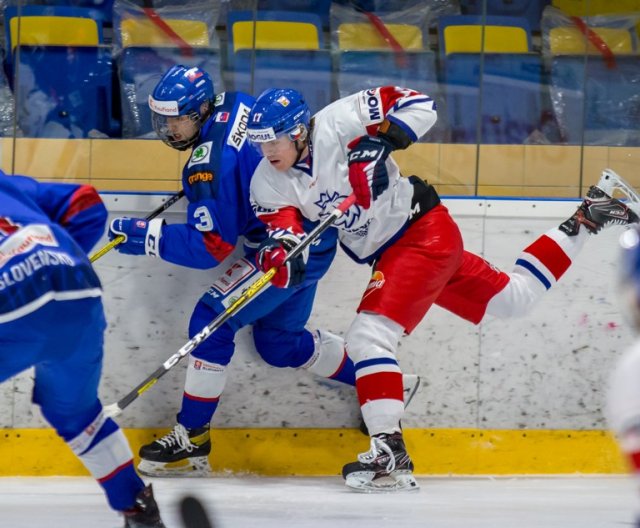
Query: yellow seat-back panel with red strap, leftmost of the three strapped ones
x=144 y=32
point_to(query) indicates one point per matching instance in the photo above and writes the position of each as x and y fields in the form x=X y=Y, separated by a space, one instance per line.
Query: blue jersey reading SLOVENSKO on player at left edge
x=46 y=230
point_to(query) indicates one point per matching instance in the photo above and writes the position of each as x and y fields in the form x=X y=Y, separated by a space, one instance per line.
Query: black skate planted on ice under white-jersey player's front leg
x=387 y=459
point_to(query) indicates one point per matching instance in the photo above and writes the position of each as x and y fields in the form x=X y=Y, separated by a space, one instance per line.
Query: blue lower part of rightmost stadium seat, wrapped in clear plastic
x=594 y=103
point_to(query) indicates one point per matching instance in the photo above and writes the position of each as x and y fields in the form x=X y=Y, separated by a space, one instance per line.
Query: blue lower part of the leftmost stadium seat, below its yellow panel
x=65 y=92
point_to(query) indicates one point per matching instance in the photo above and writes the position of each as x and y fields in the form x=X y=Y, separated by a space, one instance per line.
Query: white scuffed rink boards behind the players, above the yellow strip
x=546 y=371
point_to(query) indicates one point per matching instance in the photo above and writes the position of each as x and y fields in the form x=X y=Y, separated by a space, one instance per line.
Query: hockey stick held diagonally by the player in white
x=114 y=409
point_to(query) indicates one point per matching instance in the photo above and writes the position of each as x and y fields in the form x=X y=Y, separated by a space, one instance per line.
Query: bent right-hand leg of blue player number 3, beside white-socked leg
x=283 y=341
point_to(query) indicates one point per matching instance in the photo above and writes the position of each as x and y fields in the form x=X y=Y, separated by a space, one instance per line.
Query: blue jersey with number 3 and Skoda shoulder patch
x=216 y=182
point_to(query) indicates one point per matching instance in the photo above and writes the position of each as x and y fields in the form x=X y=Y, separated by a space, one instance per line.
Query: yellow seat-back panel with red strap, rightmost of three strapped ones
x=571 y=41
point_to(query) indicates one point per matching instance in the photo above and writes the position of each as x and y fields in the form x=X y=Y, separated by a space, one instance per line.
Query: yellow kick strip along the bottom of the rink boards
x=278 y=452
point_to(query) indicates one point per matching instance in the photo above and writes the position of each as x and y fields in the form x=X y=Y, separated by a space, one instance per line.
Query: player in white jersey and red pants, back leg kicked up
x=400 y=227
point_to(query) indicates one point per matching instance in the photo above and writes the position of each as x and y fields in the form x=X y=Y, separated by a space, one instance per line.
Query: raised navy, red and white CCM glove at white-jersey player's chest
x=367 y=170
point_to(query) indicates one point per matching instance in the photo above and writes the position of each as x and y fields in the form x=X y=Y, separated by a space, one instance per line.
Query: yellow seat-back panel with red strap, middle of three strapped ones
x=361 y=36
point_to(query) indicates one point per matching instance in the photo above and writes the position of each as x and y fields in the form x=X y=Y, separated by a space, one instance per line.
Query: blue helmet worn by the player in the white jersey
x=276 y=112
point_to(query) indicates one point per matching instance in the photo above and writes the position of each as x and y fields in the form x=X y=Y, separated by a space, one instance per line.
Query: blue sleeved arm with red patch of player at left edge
x=77 y=208
